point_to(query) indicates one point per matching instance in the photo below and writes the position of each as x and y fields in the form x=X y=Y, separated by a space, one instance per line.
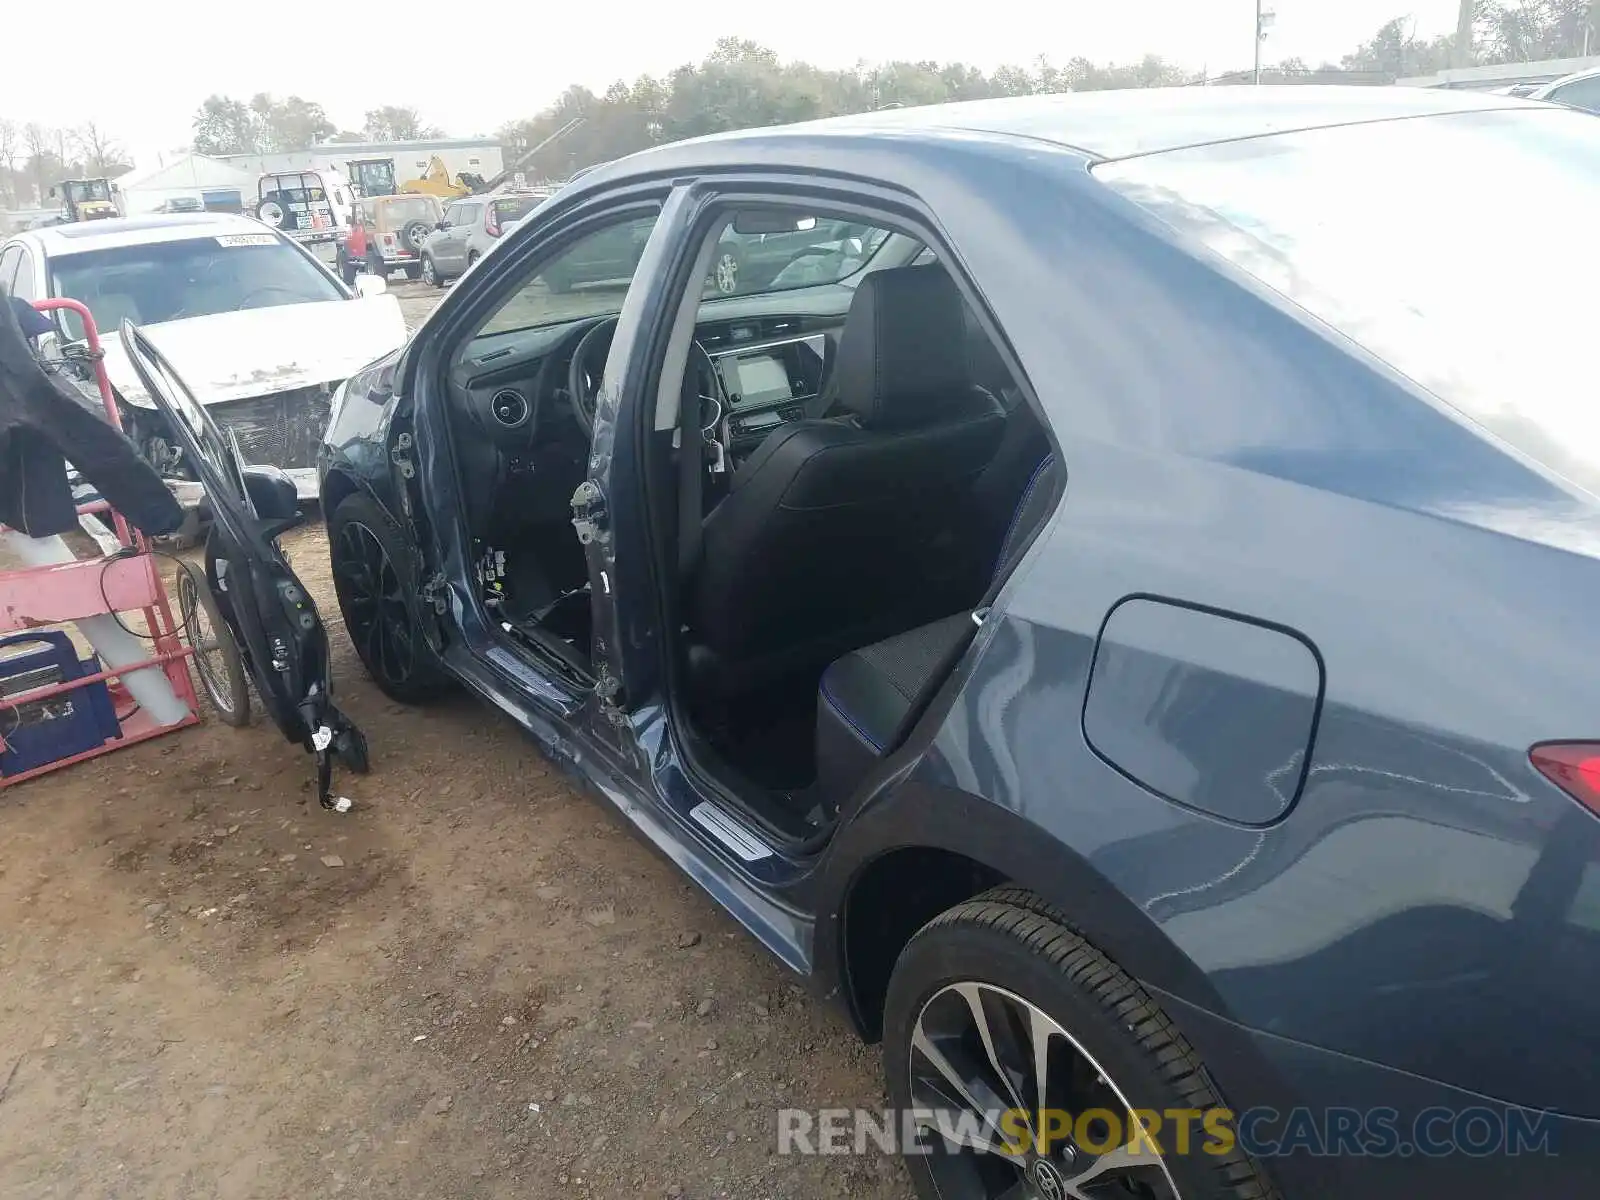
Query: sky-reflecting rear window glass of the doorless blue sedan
x=1452 y=247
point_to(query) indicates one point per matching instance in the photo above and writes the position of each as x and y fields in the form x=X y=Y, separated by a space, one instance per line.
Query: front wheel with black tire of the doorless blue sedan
x=391 y=649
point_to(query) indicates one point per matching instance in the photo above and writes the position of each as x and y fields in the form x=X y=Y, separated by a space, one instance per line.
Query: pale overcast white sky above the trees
x=473 y=66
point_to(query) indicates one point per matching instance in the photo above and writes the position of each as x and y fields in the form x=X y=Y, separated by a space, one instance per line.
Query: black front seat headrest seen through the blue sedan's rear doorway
x=903 y=353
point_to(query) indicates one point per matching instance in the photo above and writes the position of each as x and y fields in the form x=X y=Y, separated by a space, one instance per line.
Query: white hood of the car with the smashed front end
x=238 y=356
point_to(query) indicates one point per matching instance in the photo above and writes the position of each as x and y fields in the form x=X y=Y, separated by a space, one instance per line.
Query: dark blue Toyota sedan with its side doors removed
x=1119 y=618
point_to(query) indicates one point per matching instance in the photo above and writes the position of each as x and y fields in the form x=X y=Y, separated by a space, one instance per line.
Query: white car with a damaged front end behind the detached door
x=249 y=319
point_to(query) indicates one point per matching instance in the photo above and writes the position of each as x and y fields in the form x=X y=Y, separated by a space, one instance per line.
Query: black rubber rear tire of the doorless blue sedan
x=1010 y=940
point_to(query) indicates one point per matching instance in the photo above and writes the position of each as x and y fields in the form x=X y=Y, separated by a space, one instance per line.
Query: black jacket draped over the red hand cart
x=42 y=426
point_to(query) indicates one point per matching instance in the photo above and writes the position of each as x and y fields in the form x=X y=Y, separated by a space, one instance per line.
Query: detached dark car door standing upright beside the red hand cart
x=266 y=609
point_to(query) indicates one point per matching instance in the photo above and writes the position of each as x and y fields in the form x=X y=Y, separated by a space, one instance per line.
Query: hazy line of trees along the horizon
x=742 y=84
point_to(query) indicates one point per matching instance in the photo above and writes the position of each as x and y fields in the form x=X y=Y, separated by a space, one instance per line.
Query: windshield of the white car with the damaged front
x=172 y=281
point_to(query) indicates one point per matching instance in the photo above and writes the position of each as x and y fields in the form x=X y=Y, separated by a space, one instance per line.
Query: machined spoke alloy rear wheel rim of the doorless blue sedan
x=1014 y=1108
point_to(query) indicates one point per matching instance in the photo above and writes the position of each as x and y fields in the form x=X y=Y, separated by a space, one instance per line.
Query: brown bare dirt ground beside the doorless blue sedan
x=476 y=985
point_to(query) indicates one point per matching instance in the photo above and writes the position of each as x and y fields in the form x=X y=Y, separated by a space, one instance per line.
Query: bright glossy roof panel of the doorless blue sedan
x=1135 y=121
